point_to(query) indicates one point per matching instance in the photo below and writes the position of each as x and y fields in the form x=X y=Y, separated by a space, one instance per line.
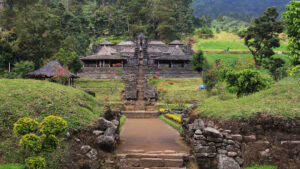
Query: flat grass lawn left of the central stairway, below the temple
x=102 y=89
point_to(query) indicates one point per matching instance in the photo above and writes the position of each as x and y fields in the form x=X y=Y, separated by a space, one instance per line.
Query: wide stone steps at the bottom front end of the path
x=139 y=159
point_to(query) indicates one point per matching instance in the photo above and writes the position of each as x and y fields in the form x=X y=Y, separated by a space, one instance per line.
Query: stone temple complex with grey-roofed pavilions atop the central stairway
x=170 y=60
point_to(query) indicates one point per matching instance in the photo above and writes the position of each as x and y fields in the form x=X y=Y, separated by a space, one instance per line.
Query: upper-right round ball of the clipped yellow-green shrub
x=53 y=125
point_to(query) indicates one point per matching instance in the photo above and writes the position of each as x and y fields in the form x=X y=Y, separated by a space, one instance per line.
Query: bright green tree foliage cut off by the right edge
x=292 y=20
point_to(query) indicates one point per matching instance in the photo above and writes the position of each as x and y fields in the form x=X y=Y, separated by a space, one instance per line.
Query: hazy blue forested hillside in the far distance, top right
x=239 y=9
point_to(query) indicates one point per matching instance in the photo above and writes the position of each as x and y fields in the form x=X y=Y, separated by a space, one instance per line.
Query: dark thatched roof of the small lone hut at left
x=49 y=70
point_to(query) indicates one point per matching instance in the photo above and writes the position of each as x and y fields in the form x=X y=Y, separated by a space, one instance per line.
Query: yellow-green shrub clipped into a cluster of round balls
x=50 y=127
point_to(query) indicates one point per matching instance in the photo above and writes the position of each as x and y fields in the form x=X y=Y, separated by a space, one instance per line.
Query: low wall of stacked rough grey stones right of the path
x=212 y=148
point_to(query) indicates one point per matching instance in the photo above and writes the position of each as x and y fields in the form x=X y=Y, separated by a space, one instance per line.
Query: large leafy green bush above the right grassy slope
x=245 y=81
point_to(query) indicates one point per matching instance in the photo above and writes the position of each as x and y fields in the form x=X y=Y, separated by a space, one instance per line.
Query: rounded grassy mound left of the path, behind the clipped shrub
x=38 y=99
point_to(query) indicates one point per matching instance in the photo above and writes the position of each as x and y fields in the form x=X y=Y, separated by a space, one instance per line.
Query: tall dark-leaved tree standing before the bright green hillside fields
x=262 y=35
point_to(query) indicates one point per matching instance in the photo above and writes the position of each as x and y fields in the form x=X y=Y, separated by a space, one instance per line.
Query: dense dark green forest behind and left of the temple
x=39 y=30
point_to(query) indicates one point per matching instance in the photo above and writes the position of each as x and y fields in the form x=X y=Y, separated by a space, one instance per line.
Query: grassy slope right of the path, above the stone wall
x=282 y=99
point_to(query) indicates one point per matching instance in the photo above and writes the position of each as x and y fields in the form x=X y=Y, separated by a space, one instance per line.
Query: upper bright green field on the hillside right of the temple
x=225 y=40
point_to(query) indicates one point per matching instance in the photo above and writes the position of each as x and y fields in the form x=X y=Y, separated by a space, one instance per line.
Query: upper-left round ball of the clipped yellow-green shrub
x=25 y=125
